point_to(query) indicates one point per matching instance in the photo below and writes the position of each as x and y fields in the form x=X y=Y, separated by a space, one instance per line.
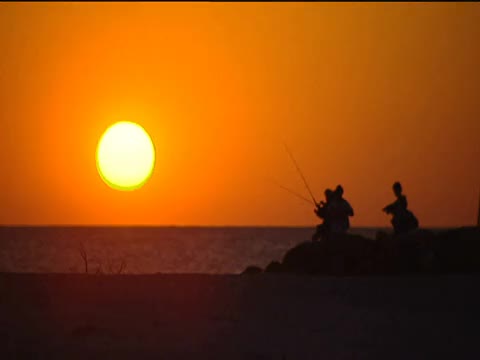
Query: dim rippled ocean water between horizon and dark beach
x=136 y=250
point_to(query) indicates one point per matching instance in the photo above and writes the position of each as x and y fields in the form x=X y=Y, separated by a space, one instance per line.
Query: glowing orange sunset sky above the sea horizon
x=364 y=94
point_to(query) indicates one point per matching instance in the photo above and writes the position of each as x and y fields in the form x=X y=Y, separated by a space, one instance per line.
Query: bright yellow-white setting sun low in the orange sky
x=125 y=156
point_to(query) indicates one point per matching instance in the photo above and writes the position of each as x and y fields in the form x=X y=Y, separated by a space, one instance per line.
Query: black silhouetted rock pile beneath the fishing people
x=421 y=251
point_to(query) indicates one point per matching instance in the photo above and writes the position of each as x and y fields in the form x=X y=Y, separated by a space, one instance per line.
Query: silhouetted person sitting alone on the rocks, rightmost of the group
x=403 y=219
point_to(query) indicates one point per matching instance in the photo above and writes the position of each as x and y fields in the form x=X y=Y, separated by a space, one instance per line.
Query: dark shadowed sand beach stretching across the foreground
x=265 y=316
